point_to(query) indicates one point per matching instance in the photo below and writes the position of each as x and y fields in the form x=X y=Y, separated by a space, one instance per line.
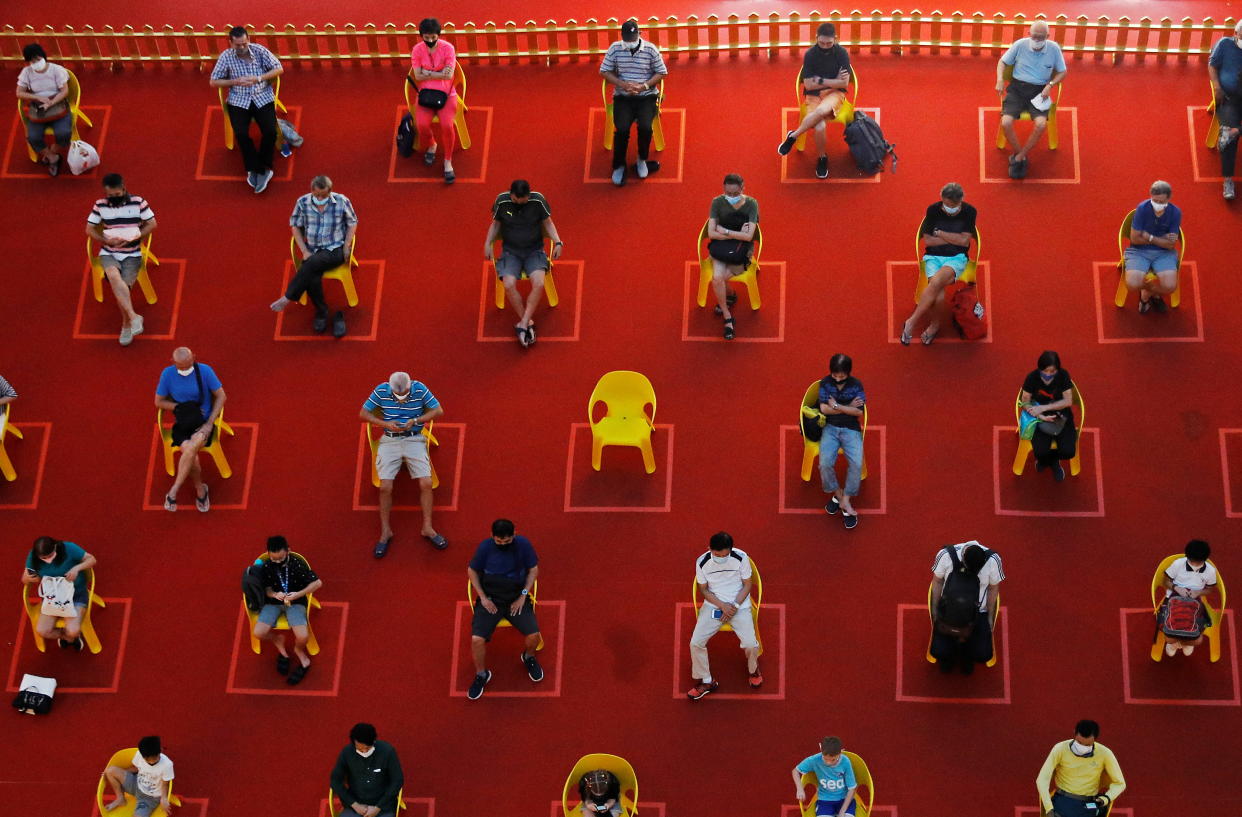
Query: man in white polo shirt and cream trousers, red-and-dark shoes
x=725 y=578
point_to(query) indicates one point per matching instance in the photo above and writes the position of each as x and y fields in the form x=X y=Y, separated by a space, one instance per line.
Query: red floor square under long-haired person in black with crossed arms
x=1040 y=490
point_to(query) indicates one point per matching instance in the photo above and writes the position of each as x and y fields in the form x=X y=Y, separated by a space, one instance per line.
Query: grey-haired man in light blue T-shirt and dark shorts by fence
x=1038 y=66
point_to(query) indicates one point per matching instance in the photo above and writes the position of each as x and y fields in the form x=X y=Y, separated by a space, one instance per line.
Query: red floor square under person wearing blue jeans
x=792 y=486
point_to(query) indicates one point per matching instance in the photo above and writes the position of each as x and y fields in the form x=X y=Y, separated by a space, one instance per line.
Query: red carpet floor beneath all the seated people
x=844 y=628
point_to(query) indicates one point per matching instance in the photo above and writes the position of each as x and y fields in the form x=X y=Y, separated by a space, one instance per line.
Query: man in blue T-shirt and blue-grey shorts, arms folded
x=1154 y=233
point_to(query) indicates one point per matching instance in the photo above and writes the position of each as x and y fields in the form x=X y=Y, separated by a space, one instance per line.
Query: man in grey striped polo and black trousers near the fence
x=635 y=69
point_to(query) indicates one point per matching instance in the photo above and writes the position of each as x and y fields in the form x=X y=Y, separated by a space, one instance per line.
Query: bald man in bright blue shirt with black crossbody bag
x=193 y=393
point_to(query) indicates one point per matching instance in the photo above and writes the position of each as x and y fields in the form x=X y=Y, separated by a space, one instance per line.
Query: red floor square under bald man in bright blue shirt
x=225 y=495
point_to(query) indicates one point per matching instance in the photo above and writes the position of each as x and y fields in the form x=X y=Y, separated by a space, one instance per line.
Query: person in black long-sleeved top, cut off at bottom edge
x=368 y=775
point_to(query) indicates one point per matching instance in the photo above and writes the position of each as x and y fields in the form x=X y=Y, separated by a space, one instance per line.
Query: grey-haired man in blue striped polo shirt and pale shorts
x=403 y=408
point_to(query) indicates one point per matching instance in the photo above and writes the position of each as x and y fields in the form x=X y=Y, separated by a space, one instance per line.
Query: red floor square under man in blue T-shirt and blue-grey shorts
x=1184 y=325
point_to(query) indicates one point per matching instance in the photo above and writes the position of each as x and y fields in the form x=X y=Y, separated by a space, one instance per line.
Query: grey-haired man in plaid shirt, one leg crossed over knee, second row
x=324 y=225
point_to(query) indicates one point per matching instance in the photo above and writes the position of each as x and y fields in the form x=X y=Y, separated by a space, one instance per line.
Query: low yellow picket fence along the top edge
x=572 y=42
